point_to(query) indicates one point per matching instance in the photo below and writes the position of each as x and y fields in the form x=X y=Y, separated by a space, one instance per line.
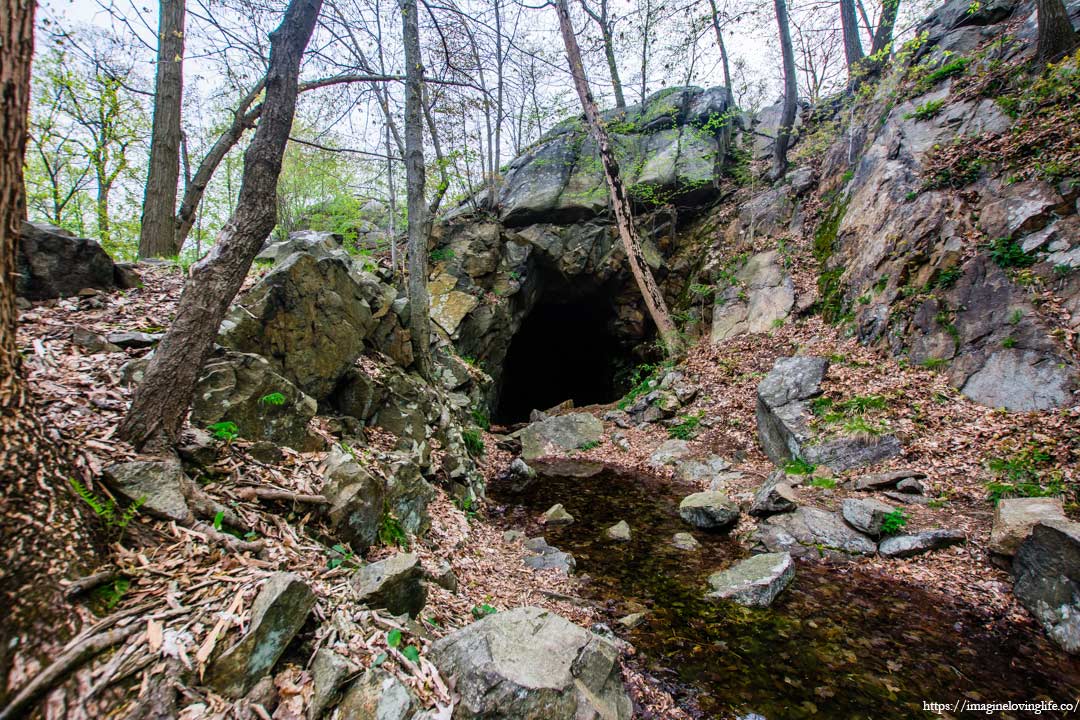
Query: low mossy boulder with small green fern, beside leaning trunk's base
x=244 y=389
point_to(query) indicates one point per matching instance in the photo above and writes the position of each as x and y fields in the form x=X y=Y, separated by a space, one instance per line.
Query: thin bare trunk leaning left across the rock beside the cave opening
x=620 y=205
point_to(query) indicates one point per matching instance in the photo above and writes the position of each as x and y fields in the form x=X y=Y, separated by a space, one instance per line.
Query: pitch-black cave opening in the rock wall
x=563 y=351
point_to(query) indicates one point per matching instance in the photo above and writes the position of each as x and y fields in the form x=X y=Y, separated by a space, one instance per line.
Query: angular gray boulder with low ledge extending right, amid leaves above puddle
x=784 y=420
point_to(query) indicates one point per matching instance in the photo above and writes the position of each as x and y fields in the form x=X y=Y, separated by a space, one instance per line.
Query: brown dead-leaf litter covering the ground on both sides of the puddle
x=191 y=593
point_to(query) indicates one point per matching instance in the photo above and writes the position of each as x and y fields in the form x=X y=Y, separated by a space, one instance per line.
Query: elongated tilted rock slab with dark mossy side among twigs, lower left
x=278 y=614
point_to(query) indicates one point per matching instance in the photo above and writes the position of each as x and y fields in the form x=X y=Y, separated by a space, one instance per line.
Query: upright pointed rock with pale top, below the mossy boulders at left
x=357 y=501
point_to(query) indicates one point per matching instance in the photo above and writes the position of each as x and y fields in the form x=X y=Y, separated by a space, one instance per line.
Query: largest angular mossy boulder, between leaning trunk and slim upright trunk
x=309 y=317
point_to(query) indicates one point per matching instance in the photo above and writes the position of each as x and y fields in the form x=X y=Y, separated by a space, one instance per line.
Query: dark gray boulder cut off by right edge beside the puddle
x=1047 y=580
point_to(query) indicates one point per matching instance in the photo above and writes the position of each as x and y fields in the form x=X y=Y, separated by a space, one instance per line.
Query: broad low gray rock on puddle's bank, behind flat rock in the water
x=811 y=533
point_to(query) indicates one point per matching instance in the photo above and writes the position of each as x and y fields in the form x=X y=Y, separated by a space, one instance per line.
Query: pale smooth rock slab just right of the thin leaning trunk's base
x=759 y=301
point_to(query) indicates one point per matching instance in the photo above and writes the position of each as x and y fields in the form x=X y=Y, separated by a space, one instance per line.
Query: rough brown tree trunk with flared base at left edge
x=45 y=532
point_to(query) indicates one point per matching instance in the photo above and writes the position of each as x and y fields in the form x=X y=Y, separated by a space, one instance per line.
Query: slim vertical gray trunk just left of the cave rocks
x=418 y=302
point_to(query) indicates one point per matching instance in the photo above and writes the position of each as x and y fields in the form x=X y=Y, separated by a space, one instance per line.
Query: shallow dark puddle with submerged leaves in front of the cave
x=836 y=644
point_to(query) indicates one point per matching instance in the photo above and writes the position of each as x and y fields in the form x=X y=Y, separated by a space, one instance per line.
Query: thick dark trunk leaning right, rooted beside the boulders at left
x=163 y=400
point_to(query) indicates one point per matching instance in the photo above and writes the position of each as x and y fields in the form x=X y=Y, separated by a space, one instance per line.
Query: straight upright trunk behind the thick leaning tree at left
x=158 y=232
